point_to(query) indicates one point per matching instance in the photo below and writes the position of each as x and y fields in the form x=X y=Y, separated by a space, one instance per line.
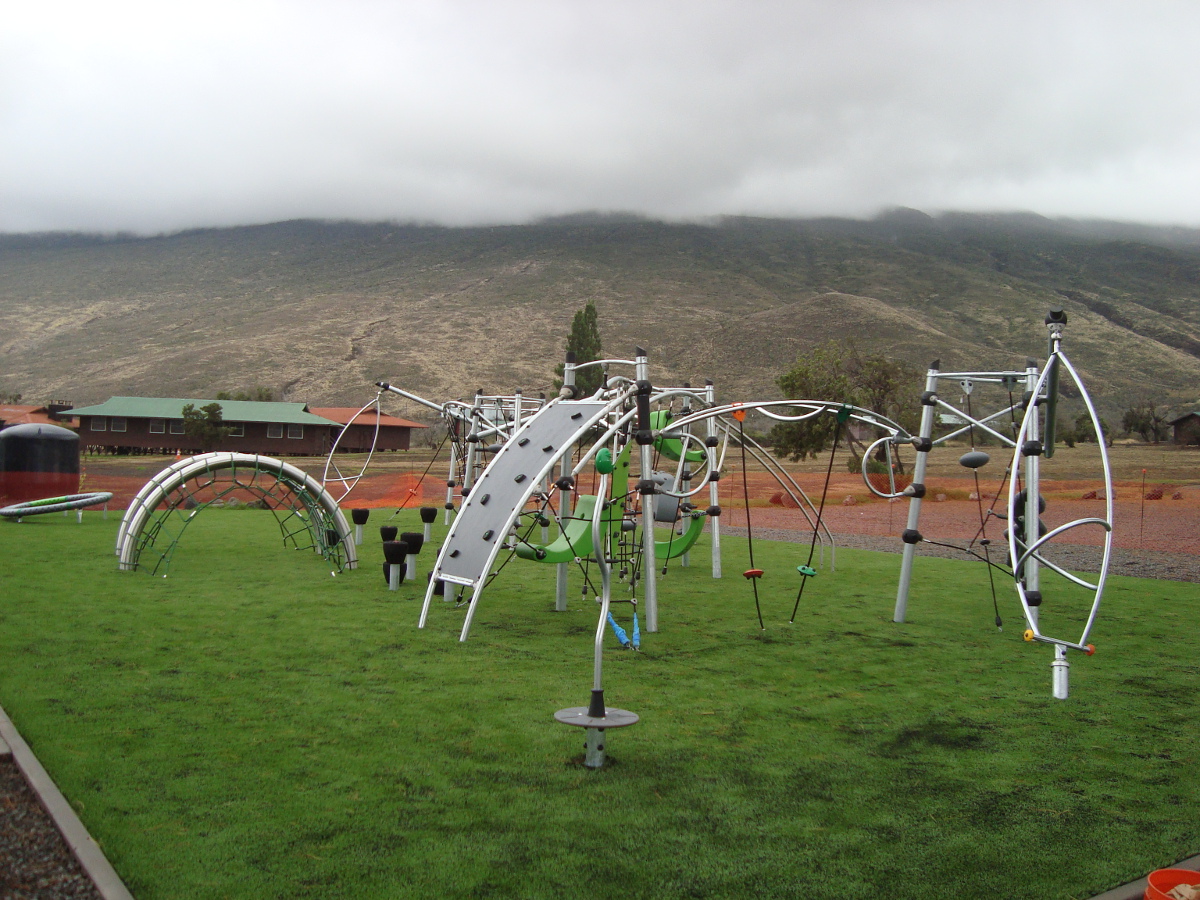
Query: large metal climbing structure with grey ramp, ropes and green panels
x=506 y=453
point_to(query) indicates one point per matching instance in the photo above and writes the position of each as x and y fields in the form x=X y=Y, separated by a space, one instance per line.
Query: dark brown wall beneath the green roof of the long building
x=137 y=436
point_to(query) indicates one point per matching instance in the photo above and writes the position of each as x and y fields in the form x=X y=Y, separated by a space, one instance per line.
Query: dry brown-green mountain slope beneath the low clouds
x=320 y=311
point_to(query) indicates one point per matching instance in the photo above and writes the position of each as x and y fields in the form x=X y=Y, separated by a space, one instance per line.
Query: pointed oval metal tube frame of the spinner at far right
x=1025 y=555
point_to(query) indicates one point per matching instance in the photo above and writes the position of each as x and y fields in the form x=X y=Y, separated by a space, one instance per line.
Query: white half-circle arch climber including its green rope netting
x=309 y=517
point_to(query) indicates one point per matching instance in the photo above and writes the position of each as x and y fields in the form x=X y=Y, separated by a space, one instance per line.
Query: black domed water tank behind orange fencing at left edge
x=38 y=461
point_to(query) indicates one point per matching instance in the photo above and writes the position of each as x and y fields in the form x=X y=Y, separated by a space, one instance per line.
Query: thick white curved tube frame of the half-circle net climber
x=320 y=505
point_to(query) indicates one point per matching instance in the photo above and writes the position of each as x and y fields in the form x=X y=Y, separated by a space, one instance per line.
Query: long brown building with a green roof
x=155 y=425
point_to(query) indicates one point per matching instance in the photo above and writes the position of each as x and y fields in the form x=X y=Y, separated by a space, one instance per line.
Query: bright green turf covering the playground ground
x=254 y=728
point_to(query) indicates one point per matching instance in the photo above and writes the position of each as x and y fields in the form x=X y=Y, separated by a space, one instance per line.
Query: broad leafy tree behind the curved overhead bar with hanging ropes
x=833 y=373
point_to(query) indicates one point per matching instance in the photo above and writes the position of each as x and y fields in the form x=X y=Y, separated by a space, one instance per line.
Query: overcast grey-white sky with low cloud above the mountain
x=165 y=116
